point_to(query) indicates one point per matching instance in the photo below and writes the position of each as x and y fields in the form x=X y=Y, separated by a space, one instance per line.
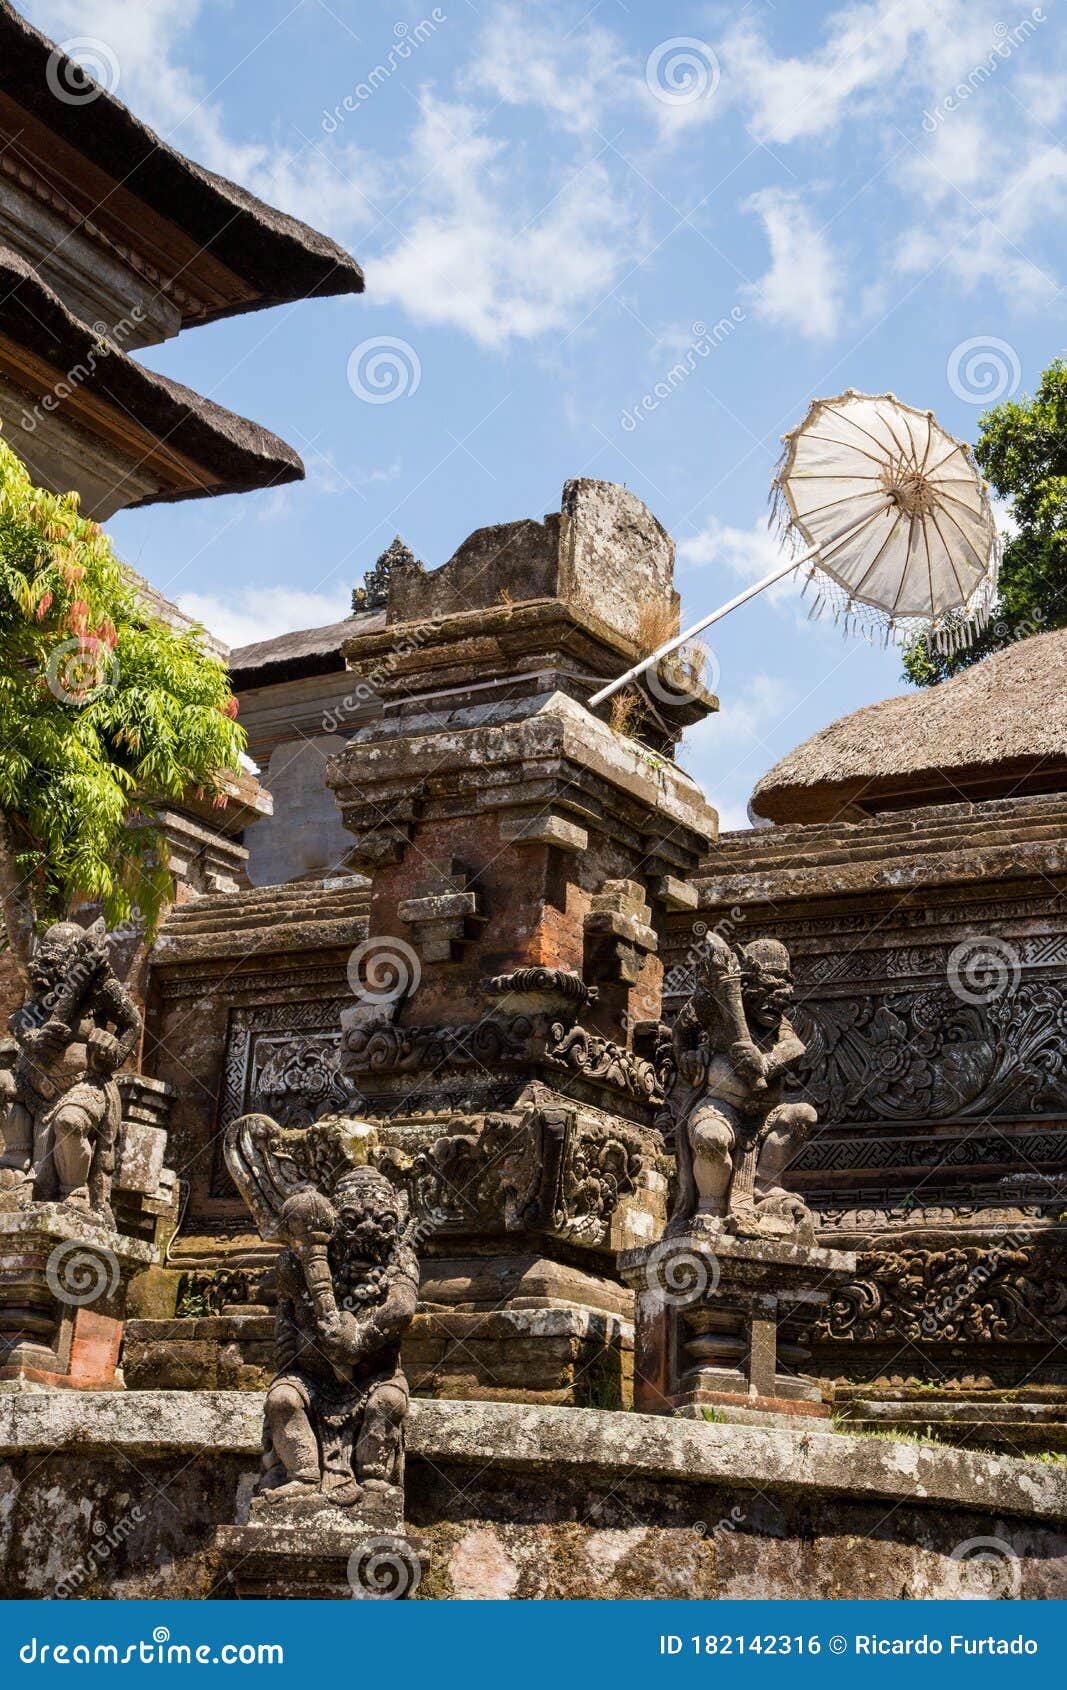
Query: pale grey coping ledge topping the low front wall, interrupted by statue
x=527 y=1439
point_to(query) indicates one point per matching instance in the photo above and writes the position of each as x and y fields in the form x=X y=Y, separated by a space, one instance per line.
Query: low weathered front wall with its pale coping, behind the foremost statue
x=520 y=1503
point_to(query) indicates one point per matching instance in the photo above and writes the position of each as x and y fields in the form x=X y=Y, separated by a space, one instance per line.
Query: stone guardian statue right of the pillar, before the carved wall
x=735 y=1137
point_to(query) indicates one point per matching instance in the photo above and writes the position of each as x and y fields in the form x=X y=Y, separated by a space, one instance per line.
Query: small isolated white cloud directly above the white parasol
x=802 y=290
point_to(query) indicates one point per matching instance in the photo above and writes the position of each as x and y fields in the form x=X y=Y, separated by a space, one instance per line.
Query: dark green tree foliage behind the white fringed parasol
x=1024 y=454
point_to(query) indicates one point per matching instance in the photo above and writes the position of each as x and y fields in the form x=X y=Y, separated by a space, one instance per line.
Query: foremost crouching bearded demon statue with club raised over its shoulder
x=347 y=1285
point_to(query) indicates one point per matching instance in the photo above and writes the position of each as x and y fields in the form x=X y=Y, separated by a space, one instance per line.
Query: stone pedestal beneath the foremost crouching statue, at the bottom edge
x=307 y=1549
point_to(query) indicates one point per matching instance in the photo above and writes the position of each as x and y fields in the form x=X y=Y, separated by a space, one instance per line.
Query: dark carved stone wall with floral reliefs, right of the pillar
x=931 y=961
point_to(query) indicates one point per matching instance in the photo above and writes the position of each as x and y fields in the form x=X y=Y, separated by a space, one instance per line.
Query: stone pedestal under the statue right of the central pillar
x=718 y=1324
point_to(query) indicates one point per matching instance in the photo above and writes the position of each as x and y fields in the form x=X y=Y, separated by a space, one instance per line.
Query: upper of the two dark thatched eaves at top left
x=276 y=258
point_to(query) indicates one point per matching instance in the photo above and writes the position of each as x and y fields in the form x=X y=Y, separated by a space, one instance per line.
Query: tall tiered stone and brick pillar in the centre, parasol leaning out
x=522 y=854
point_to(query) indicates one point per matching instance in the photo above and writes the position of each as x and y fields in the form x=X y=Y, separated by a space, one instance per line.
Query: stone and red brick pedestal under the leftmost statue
x=63 y=1284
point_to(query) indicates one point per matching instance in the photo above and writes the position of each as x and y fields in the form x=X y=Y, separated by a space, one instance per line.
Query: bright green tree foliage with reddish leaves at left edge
x=106 y=714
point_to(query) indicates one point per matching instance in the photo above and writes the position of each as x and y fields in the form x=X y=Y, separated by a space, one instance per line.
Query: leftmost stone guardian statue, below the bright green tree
x=60 y=1106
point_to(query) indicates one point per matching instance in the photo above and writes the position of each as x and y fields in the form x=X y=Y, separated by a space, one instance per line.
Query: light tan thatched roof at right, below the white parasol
x=995 y=731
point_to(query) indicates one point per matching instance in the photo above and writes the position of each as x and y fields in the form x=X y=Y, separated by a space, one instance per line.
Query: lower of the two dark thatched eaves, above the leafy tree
x=195 y=447
